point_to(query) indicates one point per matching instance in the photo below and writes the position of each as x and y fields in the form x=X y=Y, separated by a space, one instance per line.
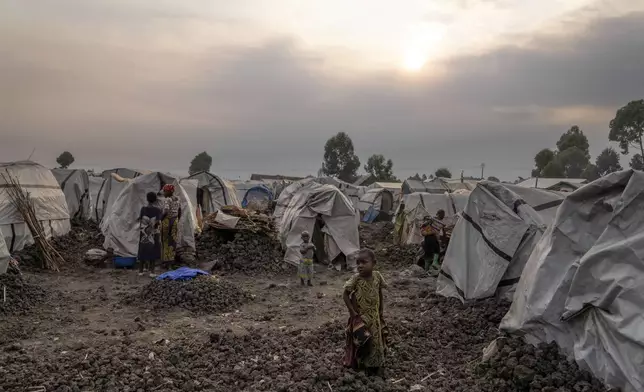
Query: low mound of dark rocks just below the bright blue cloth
x=204 y=294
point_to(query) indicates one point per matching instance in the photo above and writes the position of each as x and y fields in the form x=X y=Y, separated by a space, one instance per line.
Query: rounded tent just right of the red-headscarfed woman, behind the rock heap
x=213 y=192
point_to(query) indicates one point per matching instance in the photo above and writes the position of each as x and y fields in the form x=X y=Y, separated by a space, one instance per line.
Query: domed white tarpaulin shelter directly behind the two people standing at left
x=121 y=227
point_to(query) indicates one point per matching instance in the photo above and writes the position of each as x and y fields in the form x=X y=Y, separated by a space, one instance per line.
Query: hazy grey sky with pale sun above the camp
x=261 y=84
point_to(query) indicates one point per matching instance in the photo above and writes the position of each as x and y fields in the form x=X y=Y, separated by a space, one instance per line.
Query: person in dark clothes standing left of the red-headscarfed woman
x=150 y=235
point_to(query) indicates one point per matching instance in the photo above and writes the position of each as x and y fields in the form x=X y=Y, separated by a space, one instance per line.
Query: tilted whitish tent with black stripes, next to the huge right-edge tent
x=492 y=242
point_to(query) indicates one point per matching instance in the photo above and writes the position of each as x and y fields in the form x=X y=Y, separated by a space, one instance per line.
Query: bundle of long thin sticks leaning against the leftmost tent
x=49 y=256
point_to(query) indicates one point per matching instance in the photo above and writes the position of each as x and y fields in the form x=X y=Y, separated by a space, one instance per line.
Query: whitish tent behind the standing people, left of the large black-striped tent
x=419 y=205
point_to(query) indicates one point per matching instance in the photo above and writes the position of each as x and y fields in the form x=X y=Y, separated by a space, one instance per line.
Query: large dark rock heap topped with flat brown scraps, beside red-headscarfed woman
x=251 y=246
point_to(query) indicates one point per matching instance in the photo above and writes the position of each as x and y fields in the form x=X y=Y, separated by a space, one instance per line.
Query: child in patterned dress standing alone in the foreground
x=366 y=343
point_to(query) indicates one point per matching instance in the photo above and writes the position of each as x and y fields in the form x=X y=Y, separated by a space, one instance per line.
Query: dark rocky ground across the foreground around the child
x=89 y=334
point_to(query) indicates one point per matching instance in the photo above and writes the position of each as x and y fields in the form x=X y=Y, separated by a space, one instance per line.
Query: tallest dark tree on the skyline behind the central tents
x=339 y=158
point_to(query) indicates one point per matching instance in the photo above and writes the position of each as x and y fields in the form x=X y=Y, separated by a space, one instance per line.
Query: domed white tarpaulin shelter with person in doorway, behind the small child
x=340 y=231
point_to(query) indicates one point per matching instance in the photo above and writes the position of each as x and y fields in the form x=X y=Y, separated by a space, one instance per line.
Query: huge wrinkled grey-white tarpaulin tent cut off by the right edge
x=583 y=285
